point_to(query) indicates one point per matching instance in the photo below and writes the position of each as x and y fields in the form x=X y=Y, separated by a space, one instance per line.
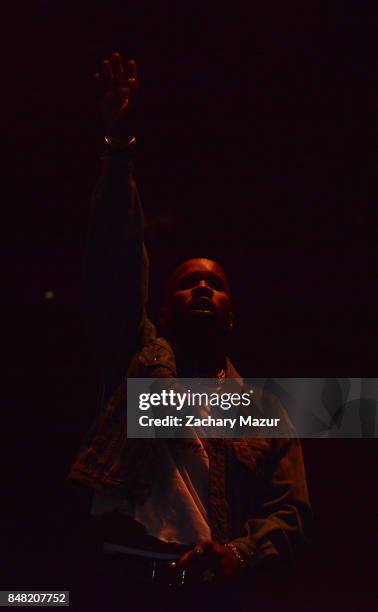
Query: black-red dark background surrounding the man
x=257 y=146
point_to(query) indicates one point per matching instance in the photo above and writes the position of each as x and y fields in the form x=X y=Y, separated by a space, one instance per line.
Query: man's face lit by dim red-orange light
x=198 y=291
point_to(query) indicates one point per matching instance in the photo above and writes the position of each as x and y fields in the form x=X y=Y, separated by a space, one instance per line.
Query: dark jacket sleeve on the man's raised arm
x=116 y=266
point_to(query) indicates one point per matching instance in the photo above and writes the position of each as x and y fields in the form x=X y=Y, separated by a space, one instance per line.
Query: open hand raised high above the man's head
x=117 y=91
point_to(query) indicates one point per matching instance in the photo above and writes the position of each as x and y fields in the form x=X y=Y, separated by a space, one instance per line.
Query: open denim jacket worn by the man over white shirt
x=258 y=495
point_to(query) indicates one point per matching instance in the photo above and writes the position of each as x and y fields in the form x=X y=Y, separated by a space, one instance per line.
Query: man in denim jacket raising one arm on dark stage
x=223 y=508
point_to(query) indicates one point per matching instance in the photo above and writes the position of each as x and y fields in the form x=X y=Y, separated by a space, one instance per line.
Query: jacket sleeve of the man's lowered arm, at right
x=283 y=518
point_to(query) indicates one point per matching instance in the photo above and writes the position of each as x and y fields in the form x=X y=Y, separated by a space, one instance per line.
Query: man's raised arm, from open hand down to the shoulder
x=116 y=271
